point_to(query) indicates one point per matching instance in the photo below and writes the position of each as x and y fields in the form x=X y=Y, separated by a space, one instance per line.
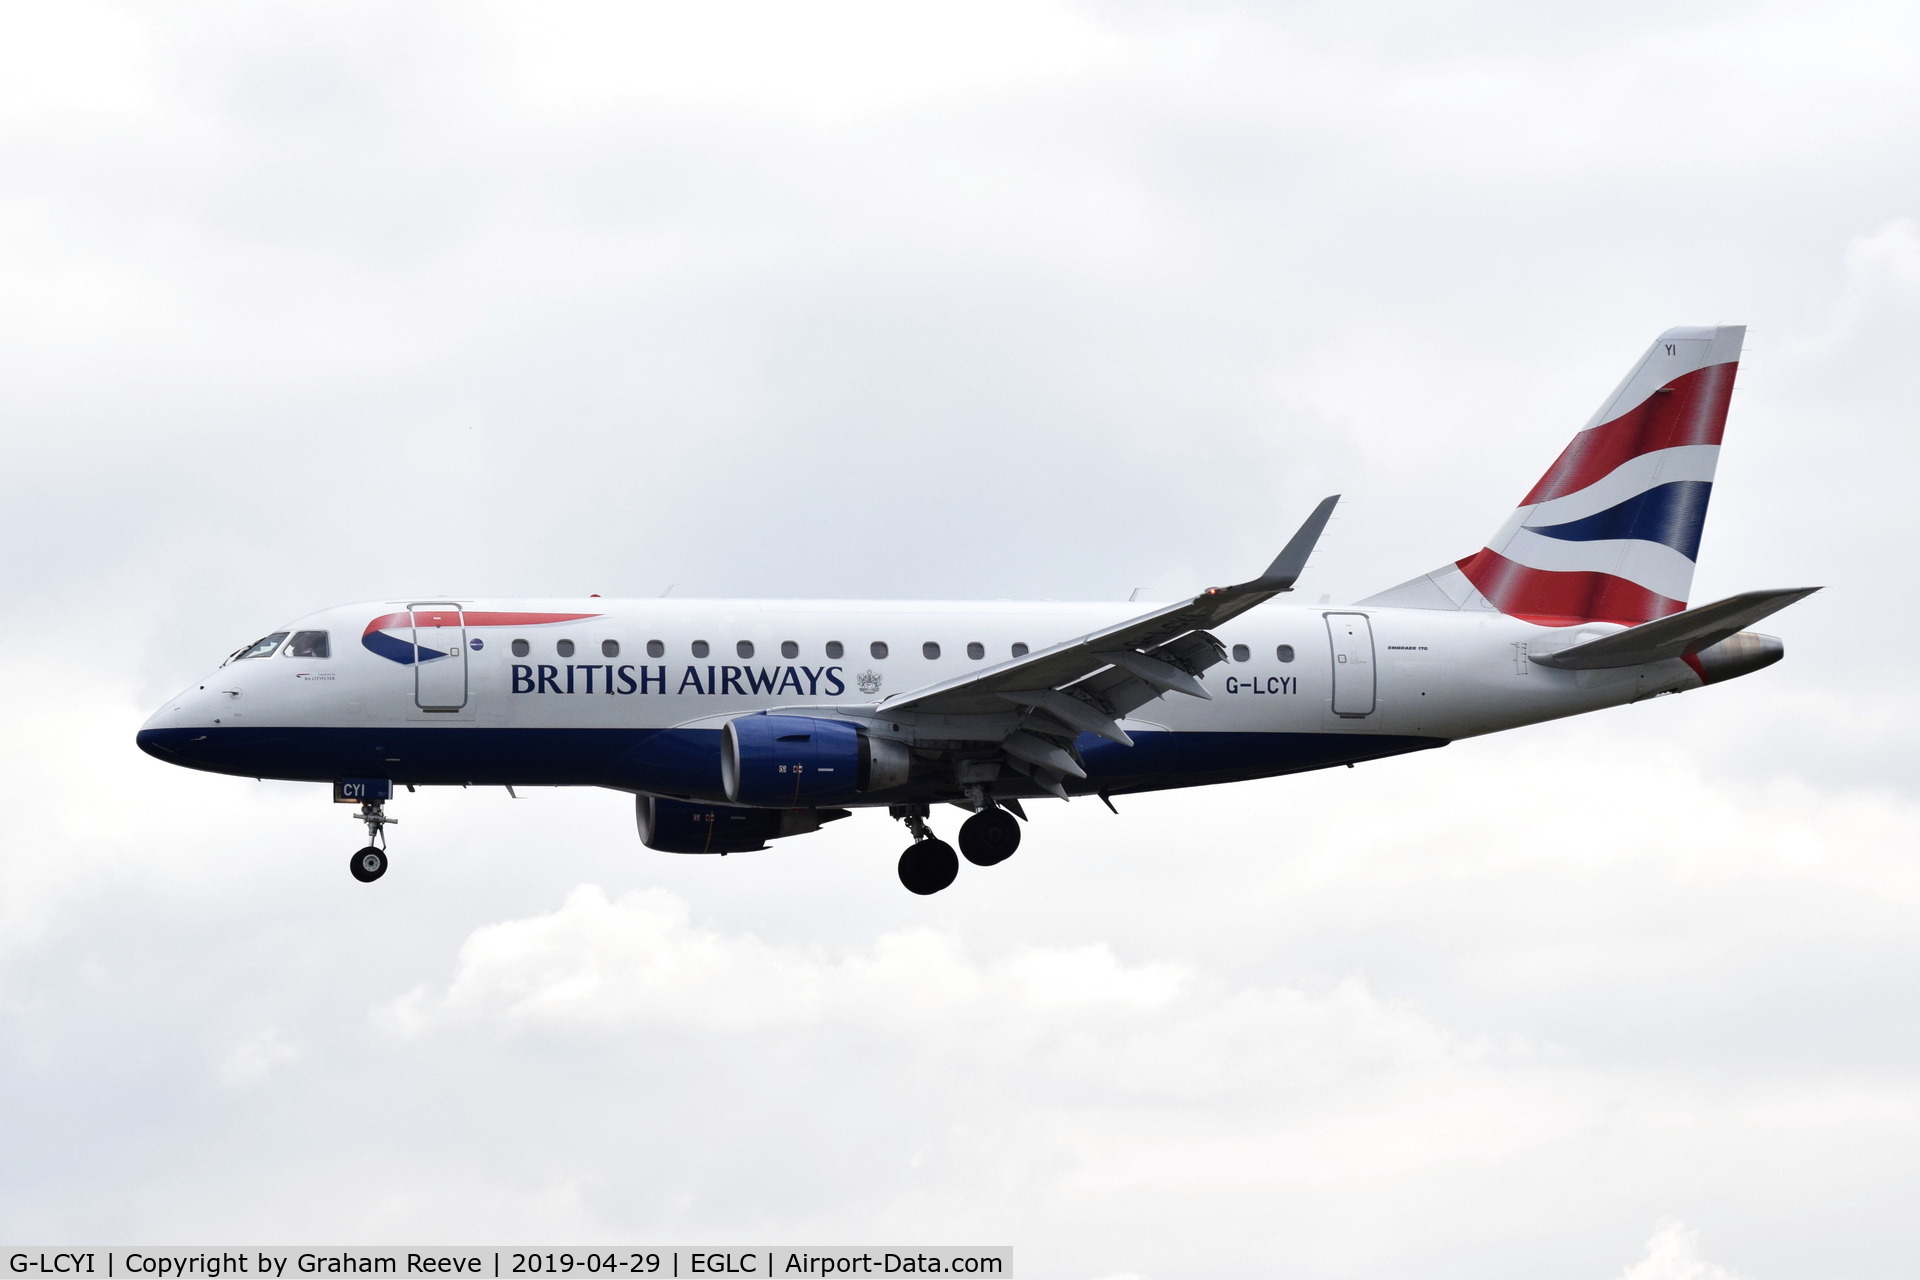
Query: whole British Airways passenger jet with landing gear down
x=744 y=723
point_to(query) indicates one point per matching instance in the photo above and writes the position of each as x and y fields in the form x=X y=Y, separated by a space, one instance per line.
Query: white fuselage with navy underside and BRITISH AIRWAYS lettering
x=633 y=694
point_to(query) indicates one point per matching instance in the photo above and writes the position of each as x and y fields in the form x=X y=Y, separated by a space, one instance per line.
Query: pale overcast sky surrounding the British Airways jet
x=314 y=304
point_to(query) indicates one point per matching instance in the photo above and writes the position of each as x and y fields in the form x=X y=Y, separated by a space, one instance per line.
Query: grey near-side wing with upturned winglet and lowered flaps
x=1090 y=684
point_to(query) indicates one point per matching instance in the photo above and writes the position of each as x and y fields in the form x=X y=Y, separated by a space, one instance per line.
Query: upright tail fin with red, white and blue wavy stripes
x=1612 y=531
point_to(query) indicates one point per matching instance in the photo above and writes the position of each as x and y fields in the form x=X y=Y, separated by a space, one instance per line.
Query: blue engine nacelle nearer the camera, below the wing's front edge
x=798 y=761
